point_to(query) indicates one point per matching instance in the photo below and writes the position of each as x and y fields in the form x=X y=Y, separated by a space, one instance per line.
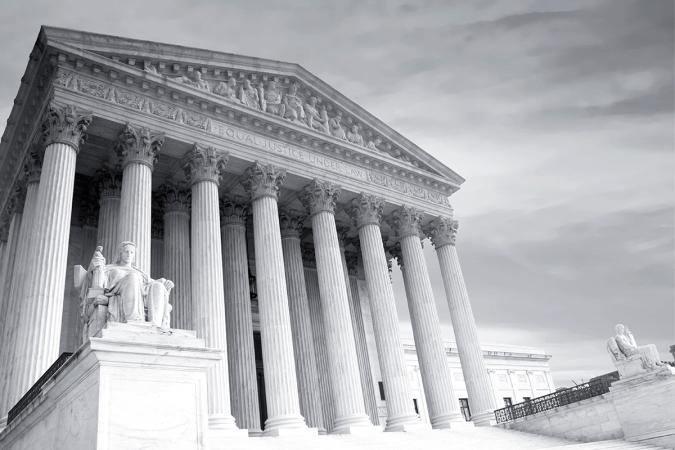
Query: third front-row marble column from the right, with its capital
x=367 y=213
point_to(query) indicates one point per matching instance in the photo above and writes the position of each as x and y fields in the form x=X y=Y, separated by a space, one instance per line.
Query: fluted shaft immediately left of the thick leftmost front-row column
x=20 y=239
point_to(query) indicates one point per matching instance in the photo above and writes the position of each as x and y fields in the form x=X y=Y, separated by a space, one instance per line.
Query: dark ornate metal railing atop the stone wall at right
x=553 y=400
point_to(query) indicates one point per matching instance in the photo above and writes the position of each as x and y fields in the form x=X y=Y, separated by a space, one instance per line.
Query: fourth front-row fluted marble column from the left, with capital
x=281 y=387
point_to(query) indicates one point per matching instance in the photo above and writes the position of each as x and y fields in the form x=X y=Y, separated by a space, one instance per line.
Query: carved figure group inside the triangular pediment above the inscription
x=288 y=105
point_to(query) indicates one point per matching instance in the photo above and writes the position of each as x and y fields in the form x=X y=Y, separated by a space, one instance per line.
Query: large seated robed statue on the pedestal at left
x=120 y=292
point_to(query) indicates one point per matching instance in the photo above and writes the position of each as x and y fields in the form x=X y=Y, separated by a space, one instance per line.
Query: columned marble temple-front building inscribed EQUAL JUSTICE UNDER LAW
x=274 y=203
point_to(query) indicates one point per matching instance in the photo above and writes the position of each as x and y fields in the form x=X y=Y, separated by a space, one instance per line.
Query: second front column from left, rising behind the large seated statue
x=138 y=149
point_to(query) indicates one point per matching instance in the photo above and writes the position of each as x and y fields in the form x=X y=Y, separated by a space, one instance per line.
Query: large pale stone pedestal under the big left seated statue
x=133 y=387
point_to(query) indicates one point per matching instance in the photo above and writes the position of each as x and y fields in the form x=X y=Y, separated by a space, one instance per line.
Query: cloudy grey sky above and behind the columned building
x=559 y=114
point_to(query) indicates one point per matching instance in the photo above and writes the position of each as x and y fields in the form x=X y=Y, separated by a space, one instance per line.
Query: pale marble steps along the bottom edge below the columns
x=459 y=439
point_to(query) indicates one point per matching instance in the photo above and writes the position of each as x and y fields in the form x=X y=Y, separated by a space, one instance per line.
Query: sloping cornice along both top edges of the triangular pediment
x=181 y=60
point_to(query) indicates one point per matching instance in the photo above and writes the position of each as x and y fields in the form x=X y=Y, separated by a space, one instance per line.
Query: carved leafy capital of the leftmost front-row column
x=65 y=124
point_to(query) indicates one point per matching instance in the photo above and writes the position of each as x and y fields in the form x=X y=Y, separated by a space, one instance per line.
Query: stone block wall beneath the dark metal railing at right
x=594 y=419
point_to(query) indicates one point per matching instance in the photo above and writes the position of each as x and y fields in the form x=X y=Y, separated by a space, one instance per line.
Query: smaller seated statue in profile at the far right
x=629 y=358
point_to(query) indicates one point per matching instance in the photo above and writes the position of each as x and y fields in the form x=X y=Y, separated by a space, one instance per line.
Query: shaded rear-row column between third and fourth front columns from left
x=240 y=350
